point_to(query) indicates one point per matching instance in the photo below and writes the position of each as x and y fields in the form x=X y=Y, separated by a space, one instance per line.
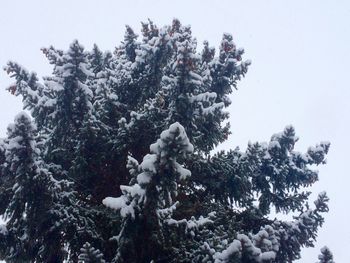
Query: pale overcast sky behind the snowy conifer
x=299 y=73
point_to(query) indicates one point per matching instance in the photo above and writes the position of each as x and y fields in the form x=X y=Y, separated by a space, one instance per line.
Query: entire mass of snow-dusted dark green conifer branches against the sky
x=116 y=162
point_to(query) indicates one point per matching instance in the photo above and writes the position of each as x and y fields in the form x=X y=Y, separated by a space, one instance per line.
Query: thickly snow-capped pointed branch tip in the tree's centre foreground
x=172 y=143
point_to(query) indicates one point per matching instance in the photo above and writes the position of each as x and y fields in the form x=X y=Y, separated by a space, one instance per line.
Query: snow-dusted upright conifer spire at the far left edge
x=30 y=192
